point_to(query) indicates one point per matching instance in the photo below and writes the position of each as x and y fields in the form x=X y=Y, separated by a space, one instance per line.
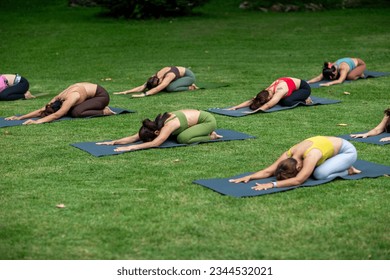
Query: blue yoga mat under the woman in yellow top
x=223 y=186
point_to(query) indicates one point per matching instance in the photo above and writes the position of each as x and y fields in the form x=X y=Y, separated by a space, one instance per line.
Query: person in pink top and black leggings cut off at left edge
x=14 y=87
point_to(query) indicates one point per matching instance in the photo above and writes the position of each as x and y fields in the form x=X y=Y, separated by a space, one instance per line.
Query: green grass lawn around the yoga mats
x=143 y=205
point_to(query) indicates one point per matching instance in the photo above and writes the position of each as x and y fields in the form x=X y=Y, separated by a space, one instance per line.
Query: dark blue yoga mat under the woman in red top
x=246 y=111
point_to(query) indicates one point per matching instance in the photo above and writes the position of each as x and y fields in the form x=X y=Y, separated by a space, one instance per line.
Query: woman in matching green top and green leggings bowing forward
x=188 y=125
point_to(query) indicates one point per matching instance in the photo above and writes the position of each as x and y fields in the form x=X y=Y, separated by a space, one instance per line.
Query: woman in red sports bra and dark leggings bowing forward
x=284 y=91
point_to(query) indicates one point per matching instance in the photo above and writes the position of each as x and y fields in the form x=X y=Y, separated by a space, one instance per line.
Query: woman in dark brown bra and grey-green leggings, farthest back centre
x=170 y=79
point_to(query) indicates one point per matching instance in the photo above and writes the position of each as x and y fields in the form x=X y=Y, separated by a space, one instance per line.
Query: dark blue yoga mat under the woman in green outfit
x=104 y=150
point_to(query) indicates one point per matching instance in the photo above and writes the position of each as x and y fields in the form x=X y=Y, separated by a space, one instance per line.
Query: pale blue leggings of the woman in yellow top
x=337 y=165
